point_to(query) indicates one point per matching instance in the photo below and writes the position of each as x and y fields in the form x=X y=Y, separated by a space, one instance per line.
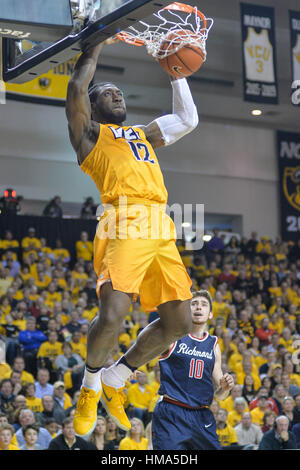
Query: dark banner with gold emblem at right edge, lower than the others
x=288 y=150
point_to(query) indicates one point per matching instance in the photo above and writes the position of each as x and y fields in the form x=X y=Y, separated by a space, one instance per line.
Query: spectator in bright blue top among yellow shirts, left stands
x=31 y=339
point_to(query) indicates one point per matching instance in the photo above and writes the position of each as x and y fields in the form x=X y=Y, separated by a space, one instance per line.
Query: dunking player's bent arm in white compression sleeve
x=167 y=129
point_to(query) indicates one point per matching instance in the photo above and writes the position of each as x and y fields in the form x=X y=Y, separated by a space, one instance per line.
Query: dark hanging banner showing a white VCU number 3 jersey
x=259 y=54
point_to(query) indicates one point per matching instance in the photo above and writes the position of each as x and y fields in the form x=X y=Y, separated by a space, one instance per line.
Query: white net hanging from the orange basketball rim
x=171 y=28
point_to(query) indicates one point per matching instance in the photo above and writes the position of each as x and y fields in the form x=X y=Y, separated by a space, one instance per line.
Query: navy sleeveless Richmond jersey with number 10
x=186 y=370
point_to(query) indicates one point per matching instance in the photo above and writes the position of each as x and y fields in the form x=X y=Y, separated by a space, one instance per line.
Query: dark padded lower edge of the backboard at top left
x=52 y=54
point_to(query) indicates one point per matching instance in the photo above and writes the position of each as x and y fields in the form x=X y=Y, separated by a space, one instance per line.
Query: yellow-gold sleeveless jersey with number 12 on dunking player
x=123 y=163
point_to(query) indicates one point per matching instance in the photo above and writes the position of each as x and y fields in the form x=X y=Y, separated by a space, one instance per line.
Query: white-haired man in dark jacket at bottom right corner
x=279 y=438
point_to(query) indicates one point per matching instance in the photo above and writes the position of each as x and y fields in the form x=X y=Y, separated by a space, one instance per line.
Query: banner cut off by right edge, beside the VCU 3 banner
x=295 y=49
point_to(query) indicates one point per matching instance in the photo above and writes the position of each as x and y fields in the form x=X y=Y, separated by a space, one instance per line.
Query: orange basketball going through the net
x=184 y=62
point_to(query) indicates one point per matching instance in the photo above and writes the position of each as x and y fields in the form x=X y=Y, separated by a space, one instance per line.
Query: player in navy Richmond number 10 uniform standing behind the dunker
x=189 y=372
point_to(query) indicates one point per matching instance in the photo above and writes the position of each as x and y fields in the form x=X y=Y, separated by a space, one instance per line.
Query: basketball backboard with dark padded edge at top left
x=93 y=21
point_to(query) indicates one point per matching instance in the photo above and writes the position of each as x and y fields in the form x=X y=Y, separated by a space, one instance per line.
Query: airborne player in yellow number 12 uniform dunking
x=122 y=163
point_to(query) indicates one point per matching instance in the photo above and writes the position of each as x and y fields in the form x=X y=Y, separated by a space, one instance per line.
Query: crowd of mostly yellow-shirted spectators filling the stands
x=47 y=304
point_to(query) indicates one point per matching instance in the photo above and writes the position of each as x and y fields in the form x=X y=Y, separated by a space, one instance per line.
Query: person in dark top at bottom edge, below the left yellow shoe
x=68 y=440
